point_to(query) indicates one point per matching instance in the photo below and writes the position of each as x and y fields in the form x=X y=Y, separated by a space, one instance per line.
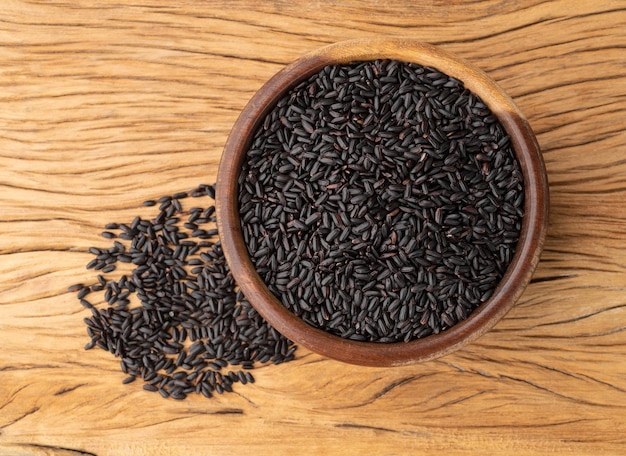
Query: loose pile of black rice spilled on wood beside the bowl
x=176 y=319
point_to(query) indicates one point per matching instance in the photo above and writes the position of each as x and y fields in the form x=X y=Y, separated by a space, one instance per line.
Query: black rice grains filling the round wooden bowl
x=381 y=201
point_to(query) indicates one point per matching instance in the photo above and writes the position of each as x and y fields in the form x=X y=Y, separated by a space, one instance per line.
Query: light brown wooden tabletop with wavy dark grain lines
x=105 y=104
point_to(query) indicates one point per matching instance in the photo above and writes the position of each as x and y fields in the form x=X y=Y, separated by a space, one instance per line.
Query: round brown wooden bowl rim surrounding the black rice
x=482 y=318
